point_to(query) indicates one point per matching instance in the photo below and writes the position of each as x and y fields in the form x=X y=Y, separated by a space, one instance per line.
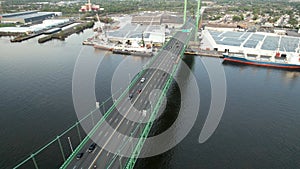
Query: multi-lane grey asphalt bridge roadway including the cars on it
x=111 y=146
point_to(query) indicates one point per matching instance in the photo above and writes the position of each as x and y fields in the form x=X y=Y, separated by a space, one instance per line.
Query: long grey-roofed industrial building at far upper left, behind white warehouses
x=27 y=17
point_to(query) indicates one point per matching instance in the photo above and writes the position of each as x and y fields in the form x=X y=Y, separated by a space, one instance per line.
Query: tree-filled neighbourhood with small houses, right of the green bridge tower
x=274 y=11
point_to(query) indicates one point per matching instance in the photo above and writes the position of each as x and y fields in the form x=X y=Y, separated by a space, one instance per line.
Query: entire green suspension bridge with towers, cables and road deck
x=117 y=149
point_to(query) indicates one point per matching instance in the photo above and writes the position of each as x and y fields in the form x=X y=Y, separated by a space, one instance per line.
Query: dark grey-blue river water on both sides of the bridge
x=259 y=127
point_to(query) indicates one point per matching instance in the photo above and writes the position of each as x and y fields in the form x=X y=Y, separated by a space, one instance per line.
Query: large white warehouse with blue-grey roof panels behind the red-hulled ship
x=253 y=43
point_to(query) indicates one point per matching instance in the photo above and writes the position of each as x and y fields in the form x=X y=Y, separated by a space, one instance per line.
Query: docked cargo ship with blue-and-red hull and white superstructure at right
x=286 y=60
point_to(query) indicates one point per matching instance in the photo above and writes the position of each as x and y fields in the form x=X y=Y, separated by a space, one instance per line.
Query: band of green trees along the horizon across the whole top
x=268 y=11
